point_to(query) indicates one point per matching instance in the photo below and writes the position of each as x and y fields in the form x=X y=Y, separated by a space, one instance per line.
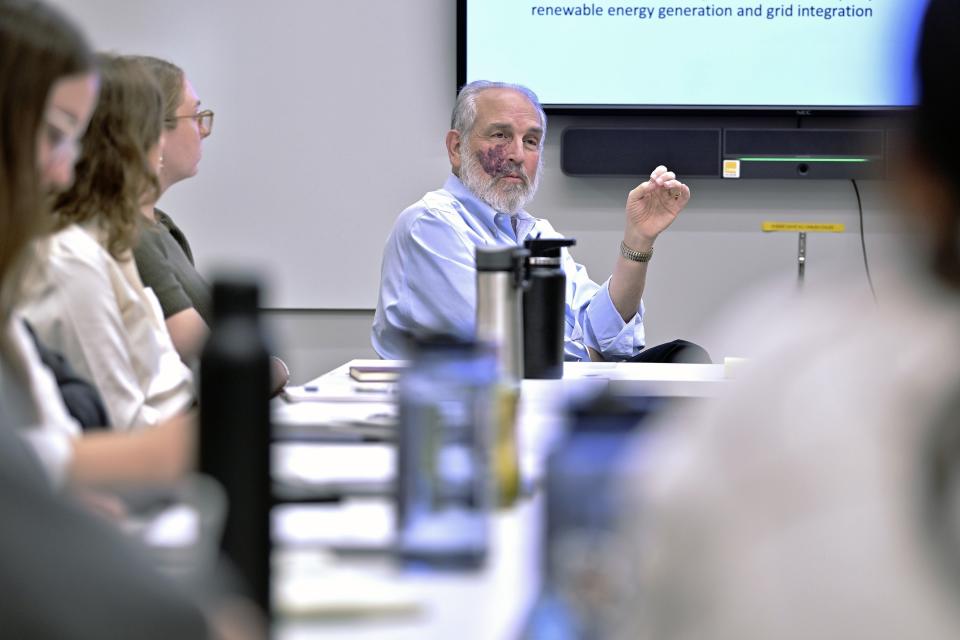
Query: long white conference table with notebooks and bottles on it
x=334 y=575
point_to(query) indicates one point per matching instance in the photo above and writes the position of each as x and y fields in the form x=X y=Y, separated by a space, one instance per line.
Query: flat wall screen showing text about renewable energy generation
x=853 y=55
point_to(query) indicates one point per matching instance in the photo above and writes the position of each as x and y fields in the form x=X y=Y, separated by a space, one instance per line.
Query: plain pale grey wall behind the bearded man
x=330 y=120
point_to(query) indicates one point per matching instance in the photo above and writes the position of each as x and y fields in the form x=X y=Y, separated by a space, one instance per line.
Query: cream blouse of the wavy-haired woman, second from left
x=96 y=312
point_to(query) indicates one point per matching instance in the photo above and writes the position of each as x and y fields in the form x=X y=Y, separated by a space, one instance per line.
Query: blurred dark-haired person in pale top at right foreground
x=809 y=502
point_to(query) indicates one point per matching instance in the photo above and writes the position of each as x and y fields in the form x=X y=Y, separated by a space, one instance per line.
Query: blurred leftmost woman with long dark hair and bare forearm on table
x=44 y=115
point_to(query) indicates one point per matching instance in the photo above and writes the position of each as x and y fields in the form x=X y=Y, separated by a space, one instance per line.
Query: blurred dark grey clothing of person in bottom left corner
x=67 y=574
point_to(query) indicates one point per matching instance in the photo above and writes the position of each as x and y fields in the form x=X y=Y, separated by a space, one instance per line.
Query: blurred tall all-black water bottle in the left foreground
x=234 y=443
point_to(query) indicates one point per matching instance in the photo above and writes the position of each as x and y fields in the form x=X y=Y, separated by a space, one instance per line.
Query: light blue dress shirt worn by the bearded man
x=428 y=278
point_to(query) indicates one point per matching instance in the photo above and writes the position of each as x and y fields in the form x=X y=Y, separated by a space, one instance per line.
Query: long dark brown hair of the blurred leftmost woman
x=38 y=46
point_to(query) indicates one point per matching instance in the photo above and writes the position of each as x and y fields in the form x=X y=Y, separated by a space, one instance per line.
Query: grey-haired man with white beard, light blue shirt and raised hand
x=428 y=274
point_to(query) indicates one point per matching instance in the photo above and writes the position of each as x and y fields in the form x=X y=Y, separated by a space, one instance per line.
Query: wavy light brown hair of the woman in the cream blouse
x=113 y=174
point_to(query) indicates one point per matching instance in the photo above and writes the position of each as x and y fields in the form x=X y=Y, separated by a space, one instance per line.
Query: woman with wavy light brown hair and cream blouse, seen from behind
x=85 y=297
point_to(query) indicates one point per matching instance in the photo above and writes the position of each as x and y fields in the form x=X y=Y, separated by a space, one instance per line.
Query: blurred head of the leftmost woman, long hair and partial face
x=48 y=88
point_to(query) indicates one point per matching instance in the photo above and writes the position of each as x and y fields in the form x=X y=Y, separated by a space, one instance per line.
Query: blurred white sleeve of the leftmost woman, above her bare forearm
x=32 y=402
